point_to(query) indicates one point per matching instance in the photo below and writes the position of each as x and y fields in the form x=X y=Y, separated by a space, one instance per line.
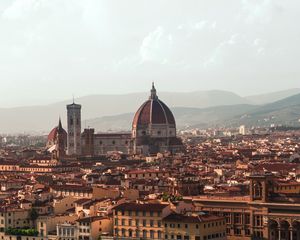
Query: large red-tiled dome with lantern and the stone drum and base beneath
x=154 y=128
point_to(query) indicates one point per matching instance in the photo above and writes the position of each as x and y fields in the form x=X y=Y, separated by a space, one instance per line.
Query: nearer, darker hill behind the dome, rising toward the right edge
x=286 y=111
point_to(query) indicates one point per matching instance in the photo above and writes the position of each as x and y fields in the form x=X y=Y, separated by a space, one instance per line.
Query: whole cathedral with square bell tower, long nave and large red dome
x=153 y=131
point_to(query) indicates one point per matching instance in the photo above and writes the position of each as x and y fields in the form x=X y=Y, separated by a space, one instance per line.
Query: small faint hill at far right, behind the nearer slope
x=272 y=97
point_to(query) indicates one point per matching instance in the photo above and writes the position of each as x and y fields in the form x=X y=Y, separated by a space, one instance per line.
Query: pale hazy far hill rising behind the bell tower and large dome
x=43 y=118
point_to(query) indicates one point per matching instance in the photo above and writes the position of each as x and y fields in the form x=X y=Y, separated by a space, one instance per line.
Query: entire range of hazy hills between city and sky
x=115 y=112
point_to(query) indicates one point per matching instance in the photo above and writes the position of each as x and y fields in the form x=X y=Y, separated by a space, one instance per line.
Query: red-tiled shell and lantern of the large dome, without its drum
x=153 y=111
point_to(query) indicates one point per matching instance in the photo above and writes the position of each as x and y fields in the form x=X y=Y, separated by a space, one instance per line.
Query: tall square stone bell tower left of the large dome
x=74 y=129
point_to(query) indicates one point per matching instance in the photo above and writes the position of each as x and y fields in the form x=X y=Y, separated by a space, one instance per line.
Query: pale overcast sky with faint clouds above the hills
x=51 y=49
